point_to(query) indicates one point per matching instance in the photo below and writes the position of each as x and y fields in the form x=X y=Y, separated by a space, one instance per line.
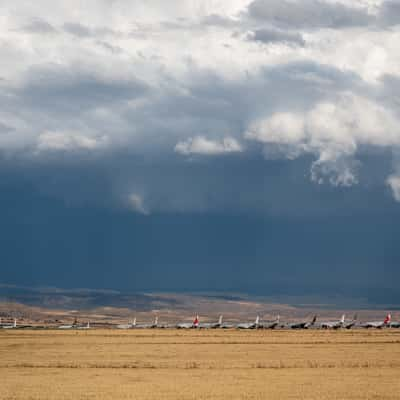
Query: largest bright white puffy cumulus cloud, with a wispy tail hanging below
x=333 y=132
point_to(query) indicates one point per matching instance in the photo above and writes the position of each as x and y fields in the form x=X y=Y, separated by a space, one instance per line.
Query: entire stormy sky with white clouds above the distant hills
x=241 y=145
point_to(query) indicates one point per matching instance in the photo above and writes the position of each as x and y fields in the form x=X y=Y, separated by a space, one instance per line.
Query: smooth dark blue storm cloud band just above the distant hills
x=304 y=238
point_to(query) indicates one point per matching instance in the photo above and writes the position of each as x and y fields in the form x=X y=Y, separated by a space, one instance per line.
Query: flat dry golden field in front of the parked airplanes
x=215 y=364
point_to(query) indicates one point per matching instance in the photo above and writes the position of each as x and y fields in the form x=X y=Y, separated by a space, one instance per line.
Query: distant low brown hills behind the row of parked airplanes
x=103 y=306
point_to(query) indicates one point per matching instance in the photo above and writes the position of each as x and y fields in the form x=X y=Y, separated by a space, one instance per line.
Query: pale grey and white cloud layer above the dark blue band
x=193 y=79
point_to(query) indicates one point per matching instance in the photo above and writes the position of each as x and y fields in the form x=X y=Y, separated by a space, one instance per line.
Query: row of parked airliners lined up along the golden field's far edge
x=220 y=324
